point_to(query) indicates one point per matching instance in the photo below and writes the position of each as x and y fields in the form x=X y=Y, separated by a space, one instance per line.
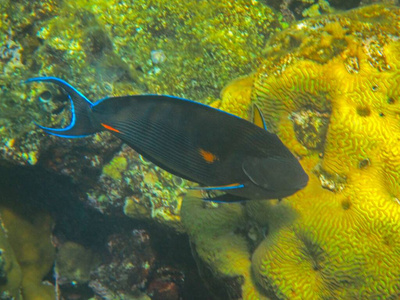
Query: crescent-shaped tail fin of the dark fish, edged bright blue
x=81 y=123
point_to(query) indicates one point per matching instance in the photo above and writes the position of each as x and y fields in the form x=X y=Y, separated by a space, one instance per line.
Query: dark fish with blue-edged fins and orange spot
x=218 y=150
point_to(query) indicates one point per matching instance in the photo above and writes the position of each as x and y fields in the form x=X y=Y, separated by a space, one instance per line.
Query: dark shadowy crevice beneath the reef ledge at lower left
x=31 y=189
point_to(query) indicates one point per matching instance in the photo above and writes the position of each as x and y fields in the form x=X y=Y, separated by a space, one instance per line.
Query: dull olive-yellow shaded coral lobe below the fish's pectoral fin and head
x=213 y=233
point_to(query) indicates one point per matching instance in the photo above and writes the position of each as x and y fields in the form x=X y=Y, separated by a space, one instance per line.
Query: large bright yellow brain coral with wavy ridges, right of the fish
x=329 y=87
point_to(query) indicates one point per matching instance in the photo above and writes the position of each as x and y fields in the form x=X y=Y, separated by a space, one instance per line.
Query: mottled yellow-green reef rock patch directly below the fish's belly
x=139 y=189
